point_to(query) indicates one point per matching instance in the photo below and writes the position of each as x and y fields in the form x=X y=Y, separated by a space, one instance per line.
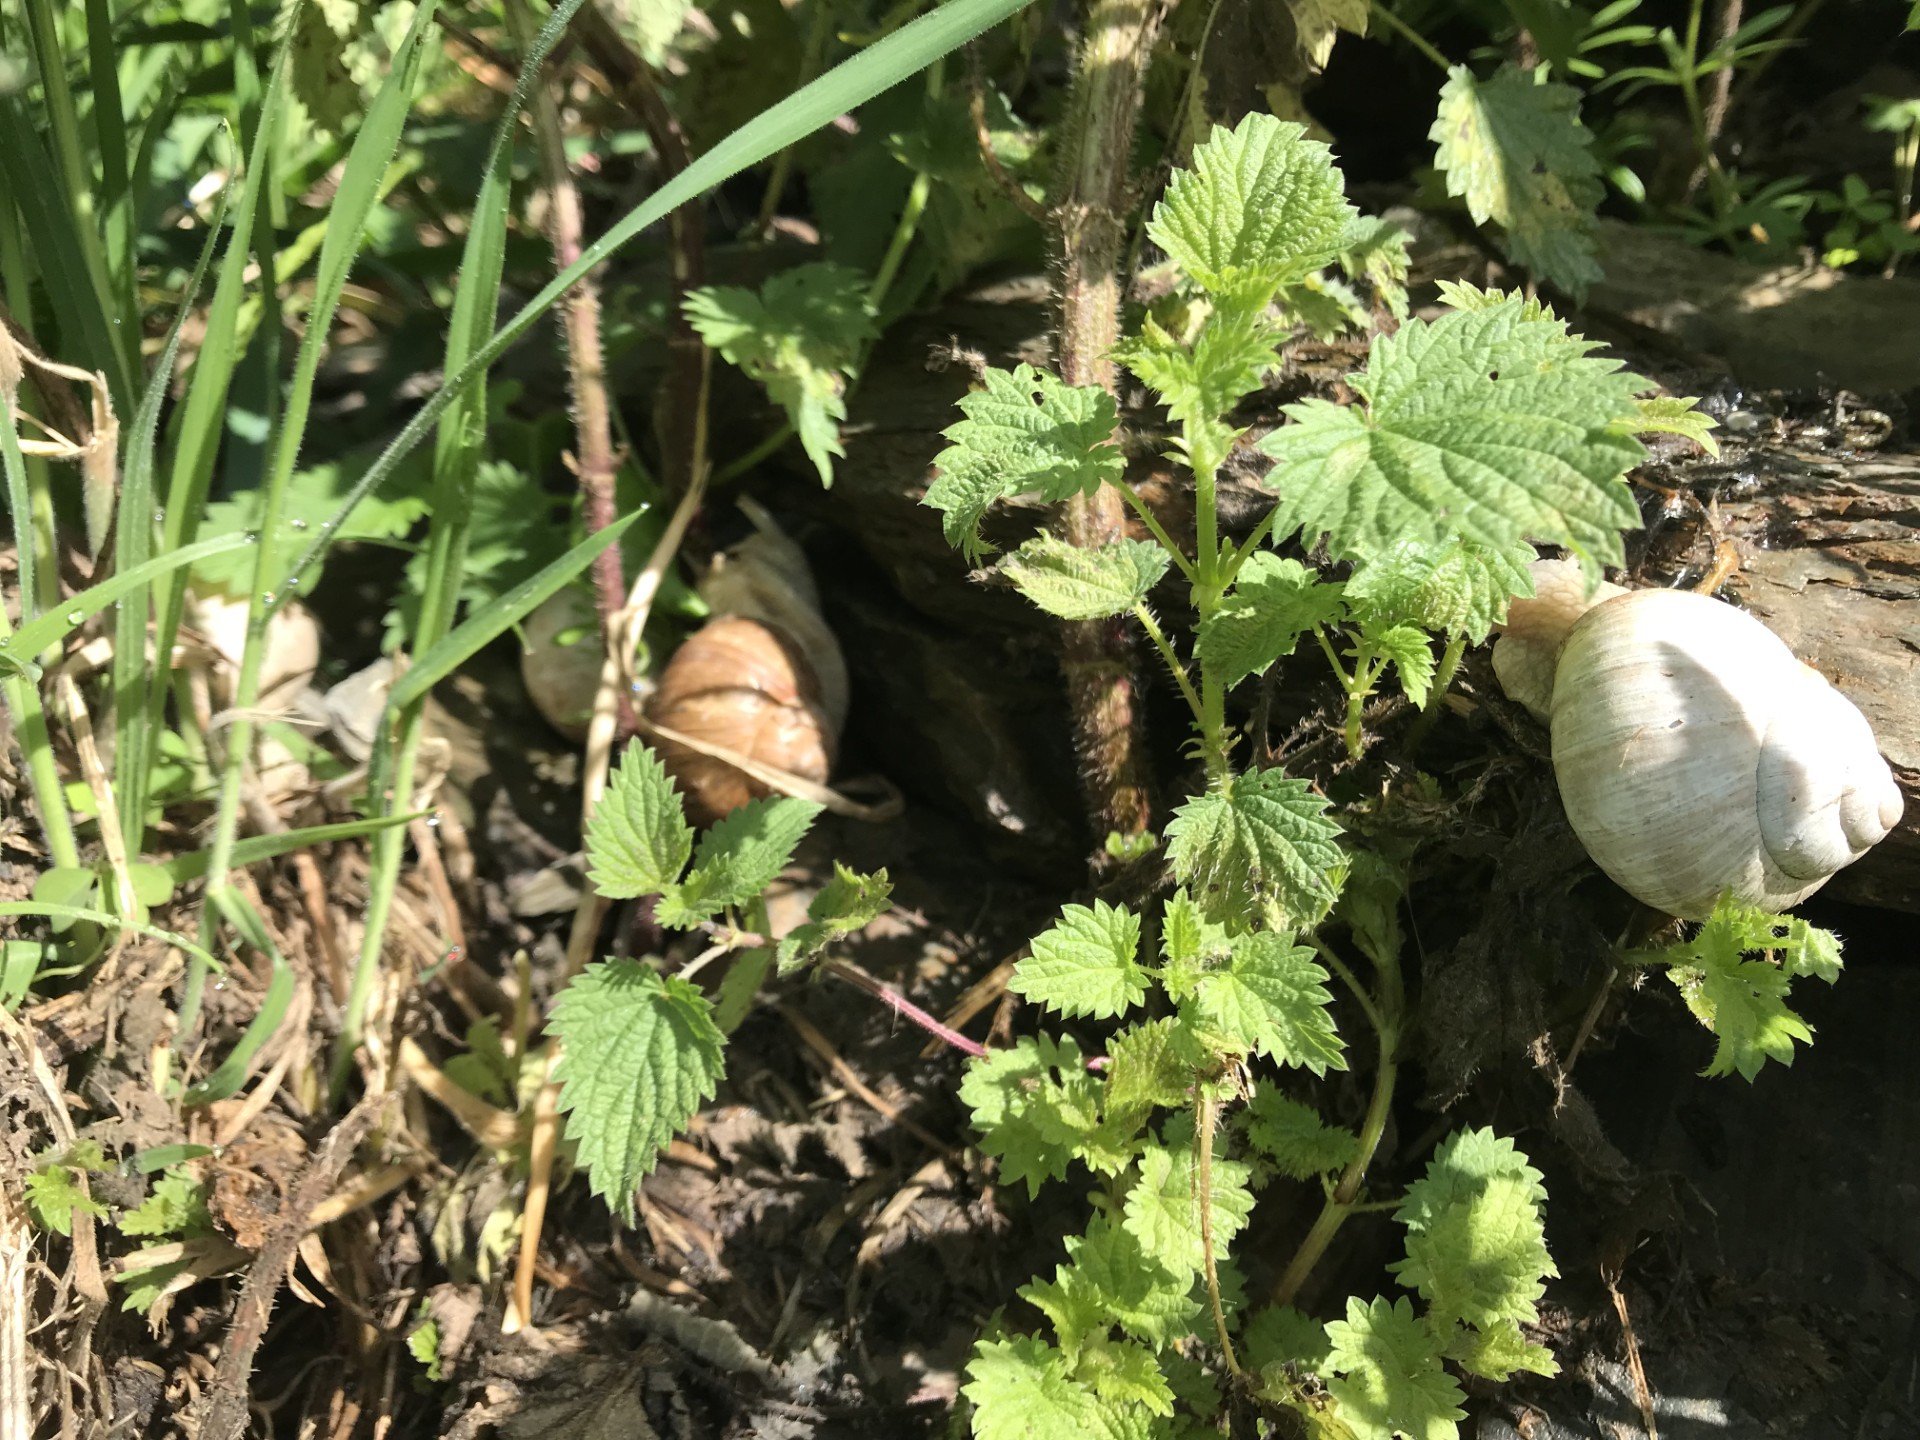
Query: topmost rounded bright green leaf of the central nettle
x=1259 y=208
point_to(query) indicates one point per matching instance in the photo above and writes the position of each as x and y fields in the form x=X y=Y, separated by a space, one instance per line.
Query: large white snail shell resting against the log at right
x=1692 y=752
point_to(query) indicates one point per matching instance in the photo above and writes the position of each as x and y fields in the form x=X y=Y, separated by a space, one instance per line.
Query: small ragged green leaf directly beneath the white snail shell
x=1744 y=1001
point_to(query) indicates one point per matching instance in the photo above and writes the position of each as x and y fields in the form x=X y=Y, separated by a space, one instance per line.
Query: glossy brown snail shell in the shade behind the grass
x=748 y=688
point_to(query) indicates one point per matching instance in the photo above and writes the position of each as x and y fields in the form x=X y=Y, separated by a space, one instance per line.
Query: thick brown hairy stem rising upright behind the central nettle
x=1090 y=212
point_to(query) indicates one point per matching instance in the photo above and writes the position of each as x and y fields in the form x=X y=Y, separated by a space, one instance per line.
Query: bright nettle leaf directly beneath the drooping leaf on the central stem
x=1272 y=1001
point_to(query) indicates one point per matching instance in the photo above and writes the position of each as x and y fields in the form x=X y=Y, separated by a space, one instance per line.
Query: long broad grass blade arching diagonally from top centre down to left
x=846 y=87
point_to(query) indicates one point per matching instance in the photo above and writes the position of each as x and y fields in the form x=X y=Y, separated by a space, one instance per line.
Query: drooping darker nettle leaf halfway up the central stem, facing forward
x=1262 y=840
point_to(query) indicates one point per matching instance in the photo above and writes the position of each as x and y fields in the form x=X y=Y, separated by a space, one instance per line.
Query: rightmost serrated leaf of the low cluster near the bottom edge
x=1483 y=1259
